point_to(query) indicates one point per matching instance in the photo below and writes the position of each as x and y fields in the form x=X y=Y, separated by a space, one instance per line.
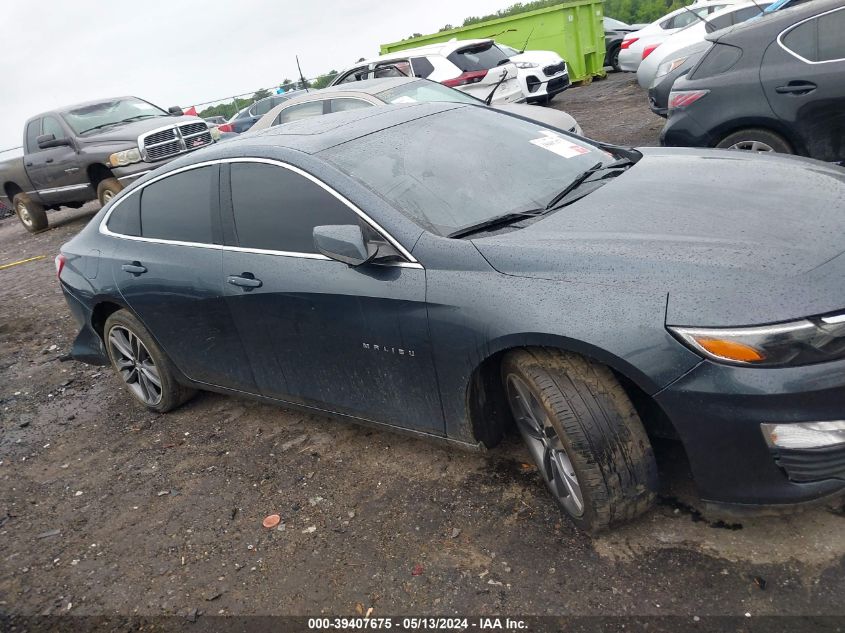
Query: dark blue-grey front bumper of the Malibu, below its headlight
x=717 y=411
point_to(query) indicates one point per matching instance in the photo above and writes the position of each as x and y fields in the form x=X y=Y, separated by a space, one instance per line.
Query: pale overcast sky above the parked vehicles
x=54 y=53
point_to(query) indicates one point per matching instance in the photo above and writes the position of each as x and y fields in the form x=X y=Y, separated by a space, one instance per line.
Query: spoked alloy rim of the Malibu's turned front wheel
x=545 y=446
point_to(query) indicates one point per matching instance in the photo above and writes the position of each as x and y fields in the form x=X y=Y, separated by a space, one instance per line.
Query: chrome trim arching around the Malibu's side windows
x=104 y=229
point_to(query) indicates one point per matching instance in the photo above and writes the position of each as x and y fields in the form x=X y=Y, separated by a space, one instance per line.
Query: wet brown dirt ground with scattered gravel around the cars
x=108 y=509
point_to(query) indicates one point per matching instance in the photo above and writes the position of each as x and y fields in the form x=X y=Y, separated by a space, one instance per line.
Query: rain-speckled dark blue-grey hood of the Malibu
x=733 y=238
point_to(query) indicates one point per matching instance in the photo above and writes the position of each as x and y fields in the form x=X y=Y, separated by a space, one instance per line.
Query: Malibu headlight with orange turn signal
x=812 y=340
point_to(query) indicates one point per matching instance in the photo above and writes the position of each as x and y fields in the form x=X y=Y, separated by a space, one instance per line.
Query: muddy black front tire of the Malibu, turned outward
x=592 y=419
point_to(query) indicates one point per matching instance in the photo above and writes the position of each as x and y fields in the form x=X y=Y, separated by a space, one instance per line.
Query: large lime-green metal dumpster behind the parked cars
x=574 y=30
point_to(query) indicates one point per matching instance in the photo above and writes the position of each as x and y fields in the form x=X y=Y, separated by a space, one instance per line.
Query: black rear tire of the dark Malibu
x=171 y=393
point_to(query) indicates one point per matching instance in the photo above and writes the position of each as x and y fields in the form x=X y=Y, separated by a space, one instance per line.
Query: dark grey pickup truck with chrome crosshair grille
x=91 y=151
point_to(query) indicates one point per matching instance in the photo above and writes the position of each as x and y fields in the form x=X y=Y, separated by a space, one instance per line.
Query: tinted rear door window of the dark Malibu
x=180 y=207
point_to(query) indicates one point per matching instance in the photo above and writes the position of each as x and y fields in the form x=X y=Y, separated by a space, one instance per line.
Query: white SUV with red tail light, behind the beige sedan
x=472 y=66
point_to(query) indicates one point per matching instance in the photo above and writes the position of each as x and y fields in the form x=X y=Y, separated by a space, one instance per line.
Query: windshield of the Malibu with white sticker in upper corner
x=457 y=168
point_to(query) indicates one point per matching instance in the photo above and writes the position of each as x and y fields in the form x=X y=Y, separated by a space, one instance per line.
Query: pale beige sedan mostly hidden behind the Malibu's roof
x=390 y=90
